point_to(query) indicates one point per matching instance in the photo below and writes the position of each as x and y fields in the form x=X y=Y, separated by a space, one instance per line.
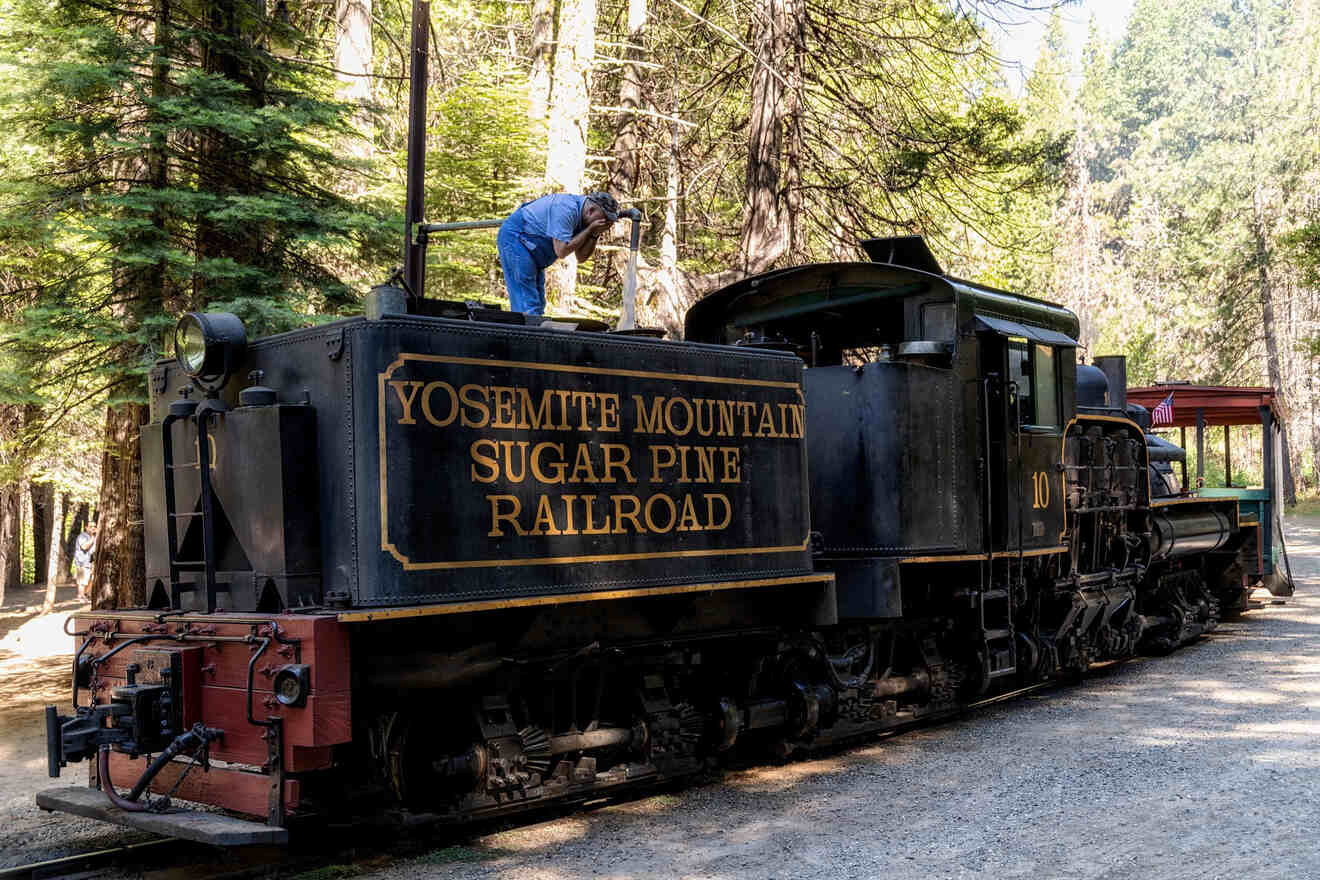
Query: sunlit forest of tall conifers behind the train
x=160 y=156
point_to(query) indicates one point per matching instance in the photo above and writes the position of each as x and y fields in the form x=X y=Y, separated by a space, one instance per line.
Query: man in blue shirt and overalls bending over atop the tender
x=544 y=230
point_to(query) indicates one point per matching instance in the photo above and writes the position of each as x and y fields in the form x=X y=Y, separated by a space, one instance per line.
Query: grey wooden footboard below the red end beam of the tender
x=189 y=825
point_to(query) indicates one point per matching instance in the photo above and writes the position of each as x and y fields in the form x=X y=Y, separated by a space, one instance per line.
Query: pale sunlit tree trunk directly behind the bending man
x=571 y=106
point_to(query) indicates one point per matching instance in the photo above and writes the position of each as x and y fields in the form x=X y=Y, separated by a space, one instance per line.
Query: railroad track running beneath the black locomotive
x=337 y=844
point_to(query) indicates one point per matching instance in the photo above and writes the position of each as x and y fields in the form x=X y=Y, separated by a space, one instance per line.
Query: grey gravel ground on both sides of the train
x=1194 y=766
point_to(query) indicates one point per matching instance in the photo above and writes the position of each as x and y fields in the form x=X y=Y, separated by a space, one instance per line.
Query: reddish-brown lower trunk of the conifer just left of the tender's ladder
x=119 y=571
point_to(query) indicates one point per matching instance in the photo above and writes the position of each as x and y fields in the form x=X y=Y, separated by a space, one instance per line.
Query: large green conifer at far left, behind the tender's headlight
x=185 y=167
